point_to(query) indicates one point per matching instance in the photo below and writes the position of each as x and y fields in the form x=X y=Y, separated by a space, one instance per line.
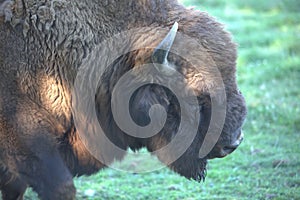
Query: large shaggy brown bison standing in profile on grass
x=43 y=46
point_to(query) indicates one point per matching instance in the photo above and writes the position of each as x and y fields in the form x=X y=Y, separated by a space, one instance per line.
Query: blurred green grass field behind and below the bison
x=267 y=164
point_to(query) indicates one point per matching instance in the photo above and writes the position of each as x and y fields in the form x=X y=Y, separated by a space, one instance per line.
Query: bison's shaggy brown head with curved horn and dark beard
x=201 y=120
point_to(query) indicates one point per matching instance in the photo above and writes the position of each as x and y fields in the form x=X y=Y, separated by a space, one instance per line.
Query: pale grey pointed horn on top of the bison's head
x=161 y=52
